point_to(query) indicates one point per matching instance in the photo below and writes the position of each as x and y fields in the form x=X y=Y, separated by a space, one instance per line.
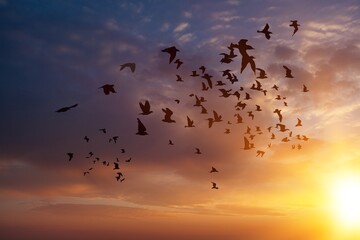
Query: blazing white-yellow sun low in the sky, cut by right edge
x=346 y=200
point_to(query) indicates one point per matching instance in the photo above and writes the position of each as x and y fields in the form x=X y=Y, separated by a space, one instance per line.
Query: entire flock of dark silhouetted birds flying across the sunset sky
x=242 y=96
